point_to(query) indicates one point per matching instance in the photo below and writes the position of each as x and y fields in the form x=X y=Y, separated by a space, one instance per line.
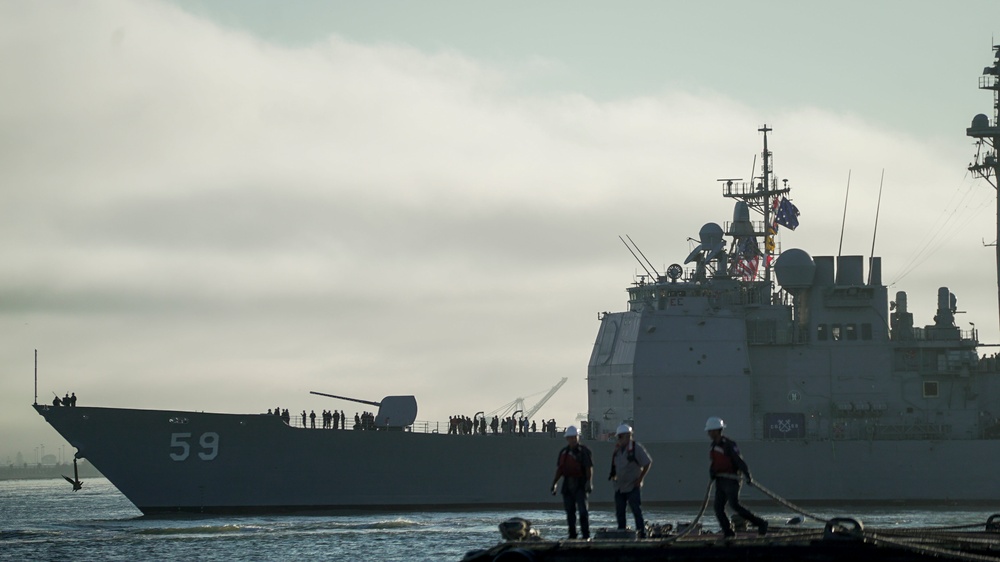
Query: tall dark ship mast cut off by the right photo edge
x=987 y=132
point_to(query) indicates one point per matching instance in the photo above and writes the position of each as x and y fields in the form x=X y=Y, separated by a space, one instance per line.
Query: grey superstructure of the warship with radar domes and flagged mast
x=820 y=354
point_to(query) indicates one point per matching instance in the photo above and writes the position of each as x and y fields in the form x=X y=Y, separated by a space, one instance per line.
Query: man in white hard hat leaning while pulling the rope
x=727 y=463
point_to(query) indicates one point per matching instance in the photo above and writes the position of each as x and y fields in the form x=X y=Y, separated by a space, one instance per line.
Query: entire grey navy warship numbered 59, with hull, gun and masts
x=832 y=389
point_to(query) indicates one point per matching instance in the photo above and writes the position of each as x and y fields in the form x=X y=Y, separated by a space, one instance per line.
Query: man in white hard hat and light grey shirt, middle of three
x=629 y=465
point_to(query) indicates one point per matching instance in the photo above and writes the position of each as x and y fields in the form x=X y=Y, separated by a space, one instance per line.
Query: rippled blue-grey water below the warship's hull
x=45 y=520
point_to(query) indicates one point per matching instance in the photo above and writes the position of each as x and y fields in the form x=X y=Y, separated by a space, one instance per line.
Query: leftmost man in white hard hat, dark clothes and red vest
x=576 y=467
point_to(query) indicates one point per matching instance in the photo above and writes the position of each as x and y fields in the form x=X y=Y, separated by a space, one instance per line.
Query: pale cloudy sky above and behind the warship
x=224 y=205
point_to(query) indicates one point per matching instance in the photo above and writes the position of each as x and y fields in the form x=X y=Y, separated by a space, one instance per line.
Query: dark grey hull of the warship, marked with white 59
x=162 y=461
